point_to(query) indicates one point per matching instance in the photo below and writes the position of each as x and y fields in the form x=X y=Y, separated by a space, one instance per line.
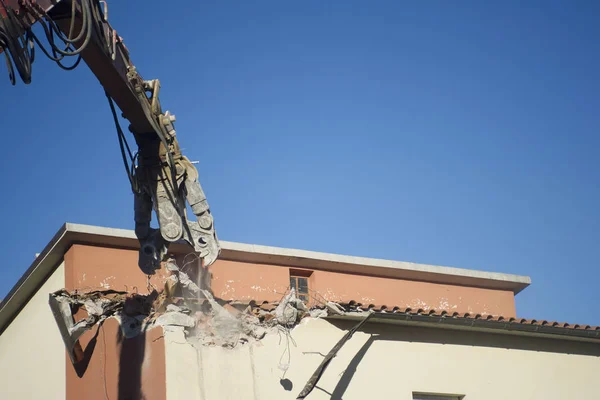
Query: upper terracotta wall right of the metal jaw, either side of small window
x=246 y=281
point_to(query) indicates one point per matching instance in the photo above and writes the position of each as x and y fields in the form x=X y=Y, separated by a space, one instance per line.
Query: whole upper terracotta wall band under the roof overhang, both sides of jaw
x=97 y=267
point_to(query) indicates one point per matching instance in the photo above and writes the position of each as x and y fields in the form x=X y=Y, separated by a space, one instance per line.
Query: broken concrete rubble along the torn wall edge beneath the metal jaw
x=181 y=305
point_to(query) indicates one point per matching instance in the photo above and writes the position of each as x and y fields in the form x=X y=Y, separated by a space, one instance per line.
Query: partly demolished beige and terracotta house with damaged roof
x=271 y=323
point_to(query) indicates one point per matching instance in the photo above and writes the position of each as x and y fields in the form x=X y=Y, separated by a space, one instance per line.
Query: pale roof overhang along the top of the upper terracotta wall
x=52 y=255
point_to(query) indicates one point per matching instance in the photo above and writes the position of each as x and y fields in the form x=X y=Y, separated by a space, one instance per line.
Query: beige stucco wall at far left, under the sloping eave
x=32 y=353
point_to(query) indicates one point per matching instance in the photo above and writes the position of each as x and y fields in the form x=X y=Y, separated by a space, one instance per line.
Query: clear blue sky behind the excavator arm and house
x=453 y=133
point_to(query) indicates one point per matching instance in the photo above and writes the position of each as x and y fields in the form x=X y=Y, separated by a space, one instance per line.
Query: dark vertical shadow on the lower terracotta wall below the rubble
x=131 y=358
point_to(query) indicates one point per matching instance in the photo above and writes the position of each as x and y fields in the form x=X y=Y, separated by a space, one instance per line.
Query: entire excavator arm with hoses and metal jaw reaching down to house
x=162 y=179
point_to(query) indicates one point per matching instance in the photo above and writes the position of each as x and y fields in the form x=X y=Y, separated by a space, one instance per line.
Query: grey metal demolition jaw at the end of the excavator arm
x=166 y=180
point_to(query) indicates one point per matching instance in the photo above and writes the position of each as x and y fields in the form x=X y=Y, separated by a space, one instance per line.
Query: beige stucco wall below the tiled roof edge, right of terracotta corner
x=387 y=362
